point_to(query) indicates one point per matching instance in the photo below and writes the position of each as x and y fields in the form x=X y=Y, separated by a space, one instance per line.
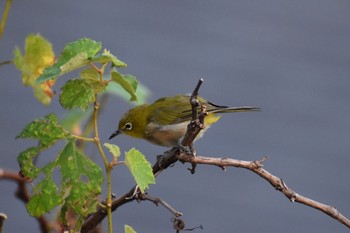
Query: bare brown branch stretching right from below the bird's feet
x=277 y=183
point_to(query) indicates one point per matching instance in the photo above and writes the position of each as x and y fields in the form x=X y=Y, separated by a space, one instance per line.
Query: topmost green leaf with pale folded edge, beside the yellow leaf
x=74 y=55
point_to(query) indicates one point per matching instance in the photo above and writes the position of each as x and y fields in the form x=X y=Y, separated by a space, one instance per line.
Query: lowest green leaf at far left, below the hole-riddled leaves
x=46 y=198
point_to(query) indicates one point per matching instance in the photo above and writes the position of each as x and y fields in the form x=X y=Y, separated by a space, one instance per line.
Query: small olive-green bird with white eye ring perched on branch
x=164 y=122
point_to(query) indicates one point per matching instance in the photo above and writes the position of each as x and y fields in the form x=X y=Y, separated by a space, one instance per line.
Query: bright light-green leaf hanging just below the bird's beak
x=140 y=169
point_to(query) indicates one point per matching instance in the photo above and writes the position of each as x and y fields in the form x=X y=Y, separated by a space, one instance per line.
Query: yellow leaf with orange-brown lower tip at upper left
x=38 y=55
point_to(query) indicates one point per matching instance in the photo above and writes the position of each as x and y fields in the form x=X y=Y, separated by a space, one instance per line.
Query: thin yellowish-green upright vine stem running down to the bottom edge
x=108 y=167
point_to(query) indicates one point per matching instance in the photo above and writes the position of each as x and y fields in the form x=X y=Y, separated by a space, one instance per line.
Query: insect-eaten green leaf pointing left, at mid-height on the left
x=46 y=130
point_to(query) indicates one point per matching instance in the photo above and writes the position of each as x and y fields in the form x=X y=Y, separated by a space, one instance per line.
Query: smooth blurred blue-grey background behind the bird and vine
x=291 y=58
